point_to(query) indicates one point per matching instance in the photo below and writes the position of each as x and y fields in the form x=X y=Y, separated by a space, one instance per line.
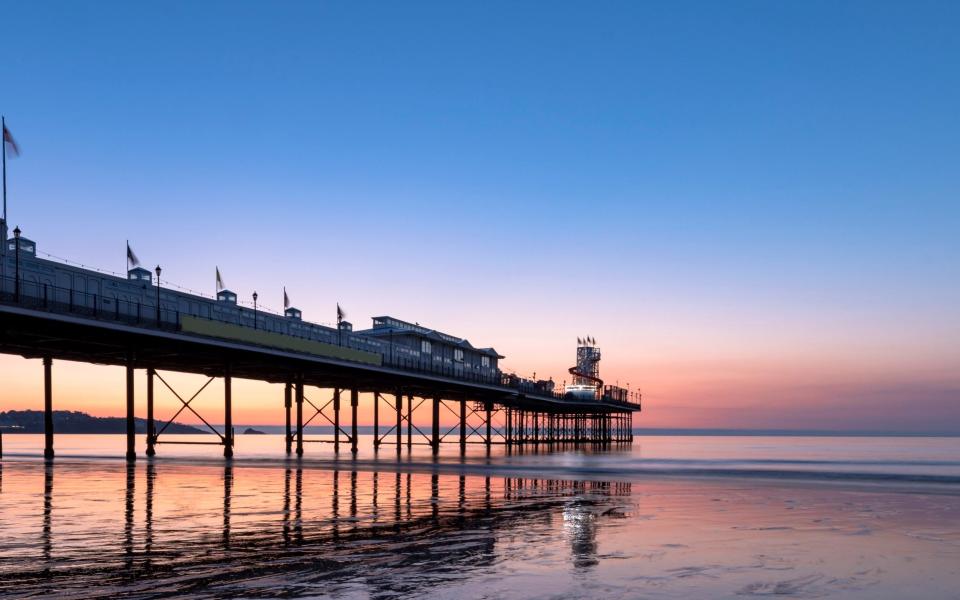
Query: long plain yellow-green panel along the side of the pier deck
x=190 y=324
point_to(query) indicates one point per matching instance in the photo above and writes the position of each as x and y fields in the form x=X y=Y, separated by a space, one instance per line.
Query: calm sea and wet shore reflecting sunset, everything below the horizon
x=667 y=516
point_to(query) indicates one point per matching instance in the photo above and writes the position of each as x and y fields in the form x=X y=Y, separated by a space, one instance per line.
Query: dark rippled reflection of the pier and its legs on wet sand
x=374 y=526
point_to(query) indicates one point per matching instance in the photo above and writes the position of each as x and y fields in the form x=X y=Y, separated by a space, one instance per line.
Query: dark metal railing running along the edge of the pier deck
x=68 y=301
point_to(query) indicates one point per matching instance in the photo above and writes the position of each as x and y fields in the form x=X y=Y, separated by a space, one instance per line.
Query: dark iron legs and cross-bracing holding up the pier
x=519 y=425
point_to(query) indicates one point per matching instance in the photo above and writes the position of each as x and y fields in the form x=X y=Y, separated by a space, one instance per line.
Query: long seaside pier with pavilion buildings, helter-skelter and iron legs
x=51 y=310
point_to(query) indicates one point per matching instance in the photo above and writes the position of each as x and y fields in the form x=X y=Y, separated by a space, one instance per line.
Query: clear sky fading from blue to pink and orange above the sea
x=752 y=206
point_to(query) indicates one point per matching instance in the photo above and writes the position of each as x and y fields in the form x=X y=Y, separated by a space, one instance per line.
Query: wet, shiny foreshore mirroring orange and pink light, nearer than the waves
x=87 y=528
